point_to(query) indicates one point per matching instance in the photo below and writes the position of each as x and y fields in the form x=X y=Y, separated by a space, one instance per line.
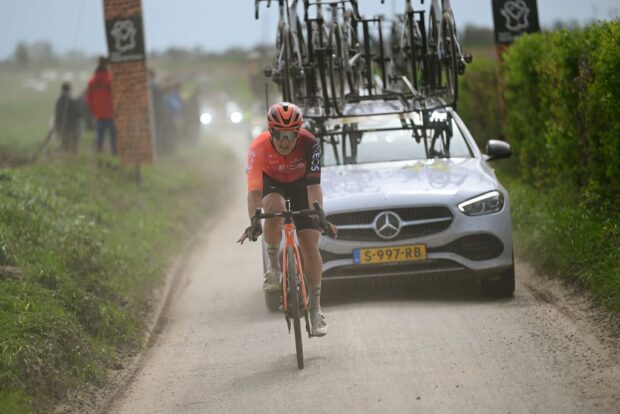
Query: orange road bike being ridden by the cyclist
x=294 y=286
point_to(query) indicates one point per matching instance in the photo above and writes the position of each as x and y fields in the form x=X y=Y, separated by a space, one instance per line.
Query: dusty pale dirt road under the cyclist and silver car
x=418 y=349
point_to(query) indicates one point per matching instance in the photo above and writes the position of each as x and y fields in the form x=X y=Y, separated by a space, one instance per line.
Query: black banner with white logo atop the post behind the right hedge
x=512 y=18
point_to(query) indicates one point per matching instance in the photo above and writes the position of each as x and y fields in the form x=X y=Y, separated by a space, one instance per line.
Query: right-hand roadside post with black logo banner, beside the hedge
x=512 y=19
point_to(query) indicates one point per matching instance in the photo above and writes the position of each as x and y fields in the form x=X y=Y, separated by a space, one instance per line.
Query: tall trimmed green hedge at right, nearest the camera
x=563 y=99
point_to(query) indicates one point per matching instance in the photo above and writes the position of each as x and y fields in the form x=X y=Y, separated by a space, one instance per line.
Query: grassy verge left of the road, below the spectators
x=81 y=250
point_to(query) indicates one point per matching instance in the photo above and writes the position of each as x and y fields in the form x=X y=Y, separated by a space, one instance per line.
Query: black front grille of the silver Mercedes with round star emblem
x=416 y=222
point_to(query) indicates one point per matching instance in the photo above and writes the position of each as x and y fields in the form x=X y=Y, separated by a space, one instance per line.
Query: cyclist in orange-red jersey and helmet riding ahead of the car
x=285 y=161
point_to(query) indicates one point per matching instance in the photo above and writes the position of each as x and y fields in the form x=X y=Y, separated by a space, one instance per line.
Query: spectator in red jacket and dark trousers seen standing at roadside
x=99 y=98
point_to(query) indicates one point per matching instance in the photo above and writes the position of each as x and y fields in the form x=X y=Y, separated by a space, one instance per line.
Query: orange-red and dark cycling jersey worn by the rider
x=304 y=162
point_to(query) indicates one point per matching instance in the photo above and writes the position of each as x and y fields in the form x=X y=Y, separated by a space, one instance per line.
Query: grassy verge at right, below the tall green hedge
x=563 y=237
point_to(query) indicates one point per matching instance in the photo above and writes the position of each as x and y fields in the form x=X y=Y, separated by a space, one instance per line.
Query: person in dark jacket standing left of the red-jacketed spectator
x=67 y=119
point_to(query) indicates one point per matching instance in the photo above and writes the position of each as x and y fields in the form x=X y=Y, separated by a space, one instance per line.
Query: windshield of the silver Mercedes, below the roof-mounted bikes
x=381 y=140
